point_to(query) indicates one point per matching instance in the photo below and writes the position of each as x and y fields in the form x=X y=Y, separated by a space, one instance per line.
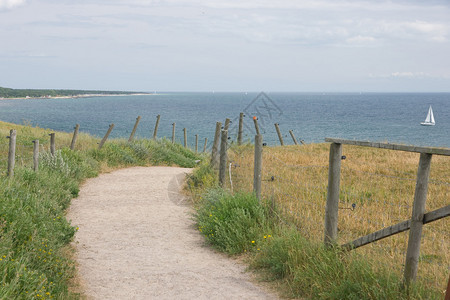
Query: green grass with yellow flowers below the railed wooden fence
x=308 y=269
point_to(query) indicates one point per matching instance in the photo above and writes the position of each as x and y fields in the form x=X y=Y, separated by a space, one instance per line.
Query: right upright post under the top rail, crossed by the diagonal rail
x=415 y=232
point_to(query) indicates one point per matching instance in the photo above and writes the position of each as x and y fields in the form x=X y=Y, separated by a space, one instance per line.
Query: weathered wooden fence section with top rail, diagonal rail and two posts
x=418 y=218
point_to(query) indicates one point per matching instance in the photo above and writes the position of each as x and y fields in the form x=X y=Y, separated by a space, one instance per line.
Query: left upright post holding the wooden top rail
x=332 y=206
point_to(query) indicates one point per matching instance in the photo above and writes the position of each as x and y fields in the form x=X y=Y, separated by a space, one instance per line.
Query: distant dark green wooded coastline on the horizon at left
x=38 y=93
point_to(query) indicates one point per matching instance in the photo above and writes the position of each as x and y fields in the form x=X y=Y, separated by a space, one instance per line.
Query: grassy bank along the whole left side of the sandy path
x=35 y=256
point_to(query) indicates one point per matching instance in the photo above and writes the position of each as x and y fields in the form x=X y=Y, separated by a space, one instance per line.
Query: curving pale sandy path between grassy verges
x=137 y=240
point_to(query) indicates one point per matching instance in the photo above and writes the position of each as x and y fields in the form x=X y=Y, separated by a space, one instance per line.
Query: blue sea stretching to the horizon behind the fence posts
x=393 y=118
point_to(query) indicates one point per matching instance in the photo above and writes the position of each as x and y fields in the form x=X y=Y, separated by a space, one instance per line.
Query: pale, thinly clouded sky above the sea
x=226 y=45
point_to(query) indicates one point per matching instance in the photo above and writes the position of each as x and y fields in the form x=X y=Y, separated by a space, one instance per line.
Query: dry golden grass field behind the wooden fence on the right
x=379 y=182
